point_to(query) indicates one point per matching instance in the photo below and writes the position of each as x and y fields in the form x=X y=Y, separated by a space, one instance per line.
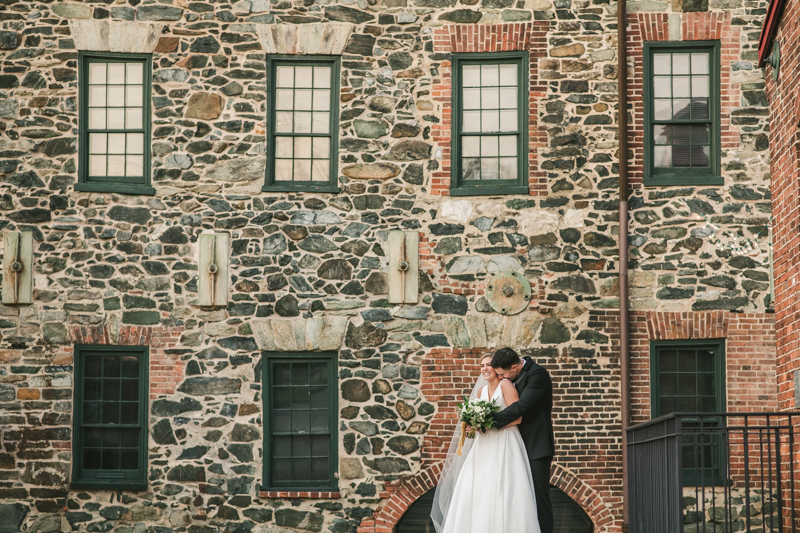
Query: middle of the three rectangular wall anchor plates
x=212 y=283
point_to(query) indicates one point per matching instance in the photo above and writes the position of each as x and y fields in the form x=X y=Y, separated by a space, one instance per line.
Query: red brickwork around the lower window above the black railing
x=749 y=354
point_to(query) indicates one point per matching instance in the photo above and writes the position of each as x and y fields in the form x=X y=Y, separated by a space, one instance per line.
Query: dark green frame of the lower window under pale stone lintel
x=331 y=358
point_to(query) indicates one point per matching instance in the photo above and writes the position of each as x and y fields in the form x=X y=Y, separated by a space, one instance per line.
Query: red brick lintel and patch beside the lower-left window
x=166 y=369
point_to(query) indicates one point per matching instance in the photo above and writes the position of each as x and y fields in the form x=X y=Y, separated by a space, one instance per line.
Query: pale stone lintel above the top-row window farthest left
x=115 y=35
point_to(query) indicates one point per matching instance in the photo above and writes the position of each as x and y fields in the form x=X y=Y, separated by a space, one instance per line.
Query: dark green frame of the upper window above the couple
x=458 y=186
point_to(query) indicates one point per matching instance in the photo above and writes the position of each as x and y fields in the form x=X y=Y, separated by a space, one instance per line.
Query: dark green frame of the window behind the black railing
x=691 y=476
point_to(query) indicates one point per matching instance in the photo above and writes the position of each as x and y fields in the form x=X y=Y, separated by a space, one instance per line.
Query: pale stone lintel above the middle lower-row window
x=298 y=335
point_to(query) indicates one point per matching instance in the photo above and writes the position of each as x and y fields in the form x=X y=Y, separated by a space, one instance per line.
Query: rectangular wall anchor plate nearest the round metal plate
x=403 y=267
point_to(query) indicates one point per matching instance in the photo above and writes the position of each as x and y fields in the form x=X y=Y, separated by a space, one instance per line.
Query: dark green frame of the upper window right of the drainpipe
x=683 y=176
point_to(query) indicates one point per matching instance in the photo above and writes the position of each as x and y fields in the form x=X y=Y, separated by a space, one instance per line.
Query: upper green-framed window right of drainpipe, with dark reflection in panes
x=682 y=115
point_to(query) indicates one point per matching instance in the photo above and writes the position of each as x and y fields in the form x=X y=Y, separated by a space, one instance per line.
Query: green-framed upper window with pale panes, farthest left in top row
x=114 y=123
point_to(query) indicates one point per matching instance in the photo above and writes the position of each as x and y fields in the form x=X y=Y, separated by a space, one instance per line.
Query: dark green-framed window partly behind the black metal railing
x=689 y=377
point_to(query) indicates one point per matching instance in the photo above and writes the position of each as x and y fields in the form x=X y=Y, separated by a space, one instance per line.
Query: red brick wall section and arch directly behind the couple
x=586 y=416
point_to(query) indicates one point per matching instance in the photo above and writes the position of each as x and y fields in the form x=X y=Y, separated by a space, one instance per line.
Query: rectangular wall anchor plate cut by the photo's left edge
x=18 y=267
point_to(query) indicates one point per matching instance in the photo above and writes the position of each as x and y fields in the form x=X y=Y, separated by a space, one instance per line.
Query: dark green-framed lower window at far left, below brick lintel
x=110 y=417
